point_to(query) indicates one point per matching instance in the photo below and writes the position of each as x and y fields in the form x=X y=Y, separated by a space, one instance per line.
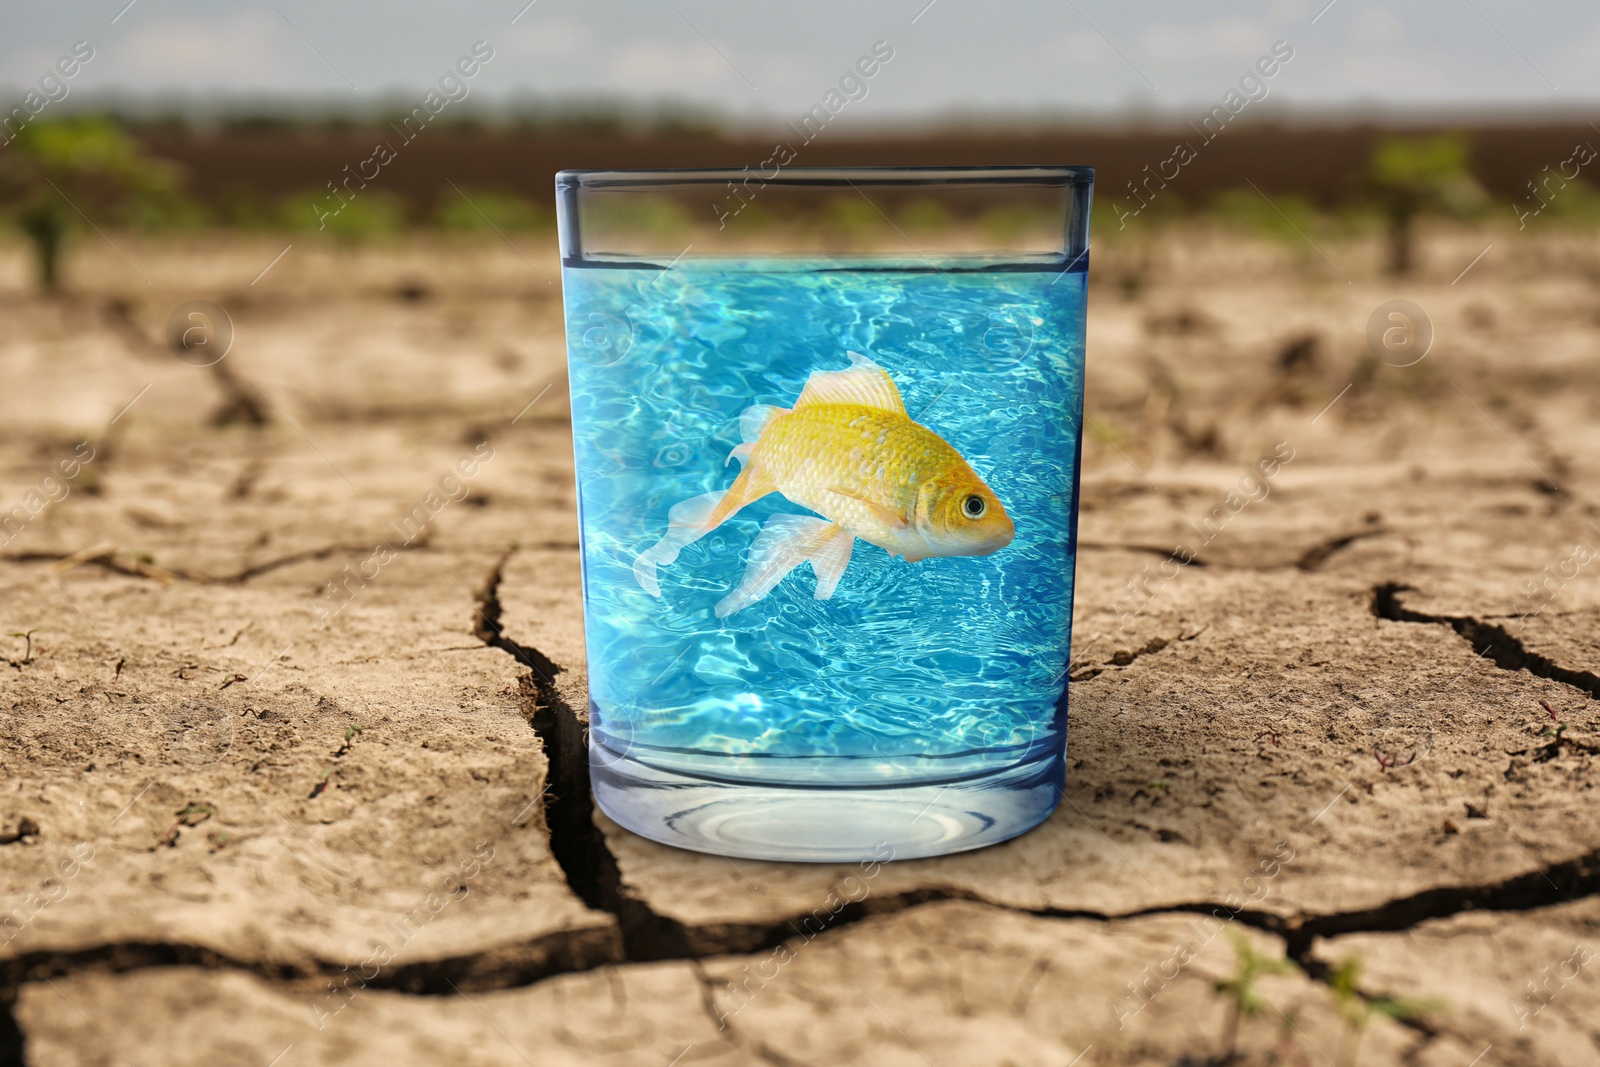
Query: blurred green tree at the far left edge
x=54 y=170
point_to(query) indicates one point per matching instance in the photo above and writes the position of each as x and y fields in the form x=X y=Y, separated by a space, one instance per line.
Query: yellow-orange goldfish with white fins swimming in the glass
x=847 y=452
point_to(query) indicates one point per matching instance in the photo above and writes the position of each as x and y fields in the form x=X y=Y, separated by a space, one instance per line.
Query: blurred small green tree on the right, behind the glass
x=1417 y=175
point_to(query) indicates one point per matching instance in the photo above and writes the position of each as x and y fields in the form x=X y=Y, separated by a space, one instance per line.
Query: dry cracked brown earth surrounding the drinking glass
x=1332 y=791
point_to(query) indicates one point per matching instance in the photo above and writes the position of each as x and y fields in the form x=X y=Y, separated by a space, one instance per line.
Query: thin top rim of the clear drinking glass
x=831 y=177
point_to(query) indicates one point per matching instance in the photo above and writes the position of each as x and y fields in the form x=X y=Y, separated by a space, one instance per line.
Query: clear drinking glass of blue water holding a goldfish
x=828 y=431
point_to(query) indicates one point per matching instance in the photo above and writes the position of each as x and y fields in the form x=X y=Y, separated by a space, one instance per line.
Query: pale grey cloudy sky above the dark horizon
x=761 y=62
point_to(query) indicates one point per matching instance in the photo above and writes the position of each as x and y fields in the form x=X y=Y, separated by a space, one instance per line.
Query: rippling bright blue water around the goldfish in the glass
x=938 y=671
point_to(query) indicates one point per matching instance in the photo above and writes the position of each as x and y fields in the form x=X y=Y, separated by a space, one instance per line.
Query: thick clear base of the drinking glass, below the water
x=754 y=820
